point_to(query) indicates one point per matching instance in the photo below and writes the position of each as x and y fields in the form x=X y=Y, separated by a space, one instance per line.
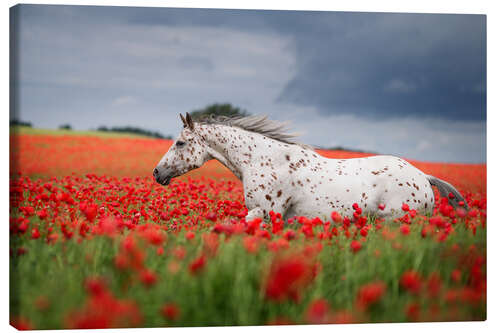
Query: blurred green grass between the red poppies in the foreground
x=229 y=290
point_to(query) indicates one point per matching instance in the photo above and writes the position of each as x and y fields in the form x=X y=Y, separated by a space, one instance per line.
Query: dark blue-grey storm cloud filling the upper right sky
x=370 y=64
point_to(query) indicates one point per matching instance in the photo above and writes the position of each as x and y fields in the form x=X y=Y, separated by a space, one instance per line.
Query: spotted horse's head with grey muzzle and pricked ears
x=188 y=152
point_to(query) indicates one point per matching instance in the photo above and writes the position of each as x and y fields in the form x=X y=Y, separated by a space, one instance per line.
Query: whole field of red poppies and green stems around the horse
x=95 y=242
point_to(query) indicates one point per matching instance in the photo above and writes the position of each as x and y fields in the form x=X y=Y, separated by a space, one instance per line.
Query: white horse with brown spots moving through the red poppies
x=282 y=176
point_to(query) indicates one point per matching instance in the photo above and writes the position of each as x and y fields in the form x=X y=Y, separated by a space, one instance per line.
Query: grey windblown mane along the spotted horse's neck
x=258 y=124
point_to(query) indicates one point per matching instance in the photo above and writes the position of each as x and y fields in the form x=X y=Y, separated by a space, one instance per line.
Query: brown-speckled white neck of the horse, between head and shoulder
x=238 y=149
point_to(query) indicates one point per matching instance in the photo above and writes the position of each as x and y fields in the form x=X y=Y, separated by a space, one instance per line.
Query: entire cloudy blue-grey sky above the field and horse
x=412 y=85
